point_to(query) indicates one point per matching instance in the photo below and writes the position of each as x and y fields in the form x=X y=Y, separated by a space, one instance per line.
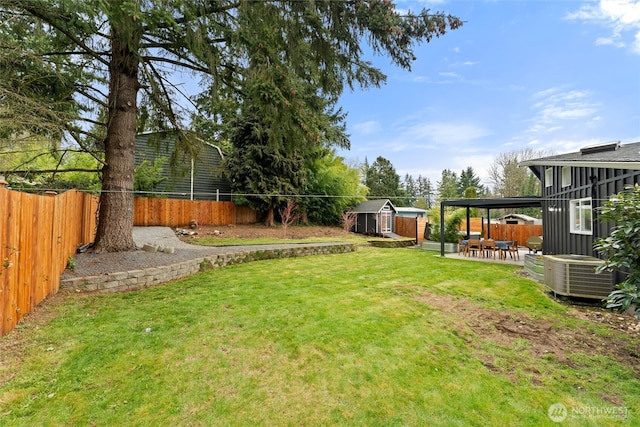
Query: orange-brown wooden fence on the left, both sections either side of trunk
x=38 y=234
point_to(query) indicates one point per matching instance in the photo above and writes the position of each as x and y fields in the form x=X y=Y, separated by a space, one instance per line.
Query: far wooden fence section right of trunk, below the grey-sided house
x=176 y=213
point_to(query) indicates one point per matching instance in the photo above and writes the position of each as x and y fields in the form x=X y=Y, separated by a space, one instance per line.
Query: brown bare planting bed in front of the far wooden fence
x=257 y=231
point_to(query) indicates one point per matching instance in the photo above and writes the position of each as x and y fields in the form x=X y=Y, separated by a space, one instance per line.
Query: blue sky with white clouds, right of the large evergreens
x=548 y=75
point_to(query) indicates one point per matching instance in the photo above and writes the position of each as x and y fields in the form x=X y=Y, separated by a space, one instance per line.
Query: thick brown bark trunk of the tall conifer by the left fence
x=115 y=220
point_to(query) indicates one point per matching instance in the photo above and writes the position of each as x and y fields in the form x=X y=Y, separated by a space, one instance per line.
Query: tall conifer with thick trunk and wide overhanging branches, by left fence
x=128 y=46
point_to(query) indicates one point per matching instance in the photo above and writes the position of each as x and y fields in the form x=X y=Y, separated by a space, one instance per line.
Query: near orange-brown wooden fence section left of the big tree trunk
x=38 y=234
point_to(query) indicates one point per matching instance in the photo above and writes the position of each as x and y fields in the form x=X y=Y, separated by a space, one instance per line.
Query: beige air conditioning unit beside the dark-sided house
x=575 y=276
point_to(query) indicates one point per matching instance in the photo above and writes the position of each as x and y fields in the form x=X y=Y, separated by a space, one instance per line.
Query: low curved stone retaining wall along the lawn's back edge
x=139 y=279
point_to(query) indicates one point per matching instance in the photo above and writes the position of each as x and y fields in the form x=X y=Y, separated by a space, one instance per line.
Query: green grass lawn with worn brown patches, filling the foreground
x=379 y=337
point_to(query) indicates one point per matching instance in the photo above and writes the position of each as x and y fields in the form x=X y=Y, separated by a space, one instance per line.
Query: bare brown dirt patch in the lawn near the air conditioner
x=545 y=339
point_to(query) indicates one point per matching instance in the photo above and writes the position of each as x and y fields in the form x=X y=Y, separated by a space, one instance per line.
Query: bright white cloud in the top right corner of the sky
x=621 y=16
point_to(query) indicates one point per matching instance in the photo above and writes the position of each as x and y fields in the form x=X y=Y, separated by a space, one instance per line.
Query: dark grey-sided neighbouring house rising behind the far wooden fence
x=188 y=174
